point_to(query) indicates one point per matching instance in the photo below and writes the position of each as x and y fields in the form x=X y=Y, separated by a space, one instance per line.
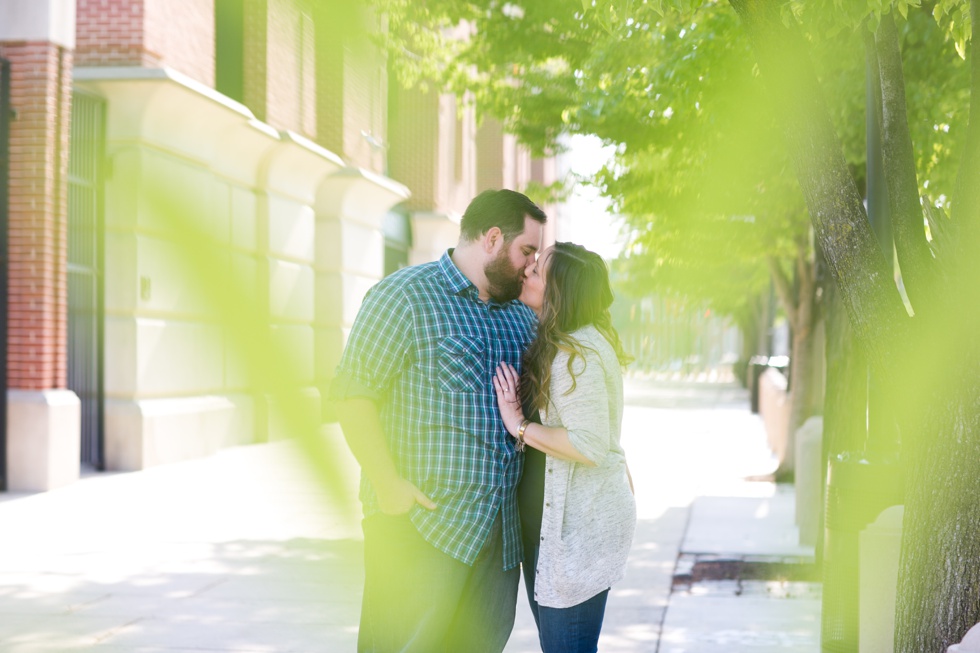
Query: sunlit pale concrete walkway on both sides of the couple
x=244 y=551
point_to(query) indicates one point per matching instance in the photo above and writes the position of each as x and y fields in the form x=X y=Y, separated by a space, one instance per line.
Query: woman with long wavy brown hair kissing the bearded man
x=578 y=521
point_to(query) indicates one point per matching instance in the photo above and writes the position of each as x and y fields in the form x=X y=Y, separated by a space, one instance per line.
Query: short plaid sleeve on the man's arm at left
x=378 y=347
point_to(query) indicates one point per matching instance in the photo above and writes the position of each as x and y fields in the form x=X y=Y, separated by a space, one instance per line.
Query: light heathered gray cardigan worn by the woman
x=589 y=512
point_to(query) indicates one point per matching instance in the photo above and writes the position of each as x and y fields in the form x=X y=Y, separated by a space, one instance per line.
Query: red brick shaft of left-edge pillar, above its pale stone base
x=37 y=285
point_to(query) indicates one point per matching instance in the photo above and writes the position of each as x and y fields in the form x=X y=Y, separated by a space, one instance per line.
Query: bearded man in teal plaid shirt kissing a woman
x=439 y=472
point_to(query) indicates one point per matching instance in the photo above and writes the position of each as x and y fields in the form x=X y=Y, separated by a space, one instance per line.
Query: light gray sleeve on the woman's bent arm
x=584 y=411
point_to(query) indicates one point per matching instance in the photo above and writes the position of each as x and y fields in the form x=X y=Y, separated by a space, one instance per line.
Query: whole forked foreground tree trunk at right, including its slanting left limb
x=930 y=364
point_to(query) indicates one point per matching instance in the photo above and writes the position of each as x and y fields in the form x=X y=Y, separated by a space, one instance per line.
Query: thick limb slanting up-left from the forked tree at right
x=836 y=209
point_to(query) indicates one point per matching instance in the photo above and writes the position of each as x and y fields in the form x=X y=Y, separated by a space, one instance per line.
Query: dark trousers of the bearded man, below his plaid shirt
x=417 y=598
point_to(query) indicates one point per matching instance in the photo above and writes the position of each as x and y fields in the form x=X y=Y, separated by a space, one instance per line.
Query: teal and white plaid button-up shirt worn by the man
x=425 y=348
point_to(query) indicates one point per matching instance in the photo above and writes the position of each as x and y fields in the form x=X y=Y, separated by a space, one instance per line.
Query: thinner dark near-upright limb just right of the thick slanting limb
x=914 y=257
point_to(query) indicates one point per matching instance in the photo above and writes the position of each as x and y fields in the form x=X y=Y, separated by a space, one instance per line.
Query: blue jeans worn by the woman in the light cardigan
x=564 y=630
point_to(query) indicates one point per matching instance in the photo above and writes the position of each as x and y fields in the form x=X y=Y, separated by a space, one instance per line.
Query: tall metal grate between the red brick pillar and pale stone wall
x=85 y=246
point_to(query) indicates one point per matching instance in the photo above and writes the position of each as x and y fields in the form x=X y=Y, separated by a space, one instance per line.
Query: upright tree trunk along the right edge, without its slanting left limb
x=939 y=571
